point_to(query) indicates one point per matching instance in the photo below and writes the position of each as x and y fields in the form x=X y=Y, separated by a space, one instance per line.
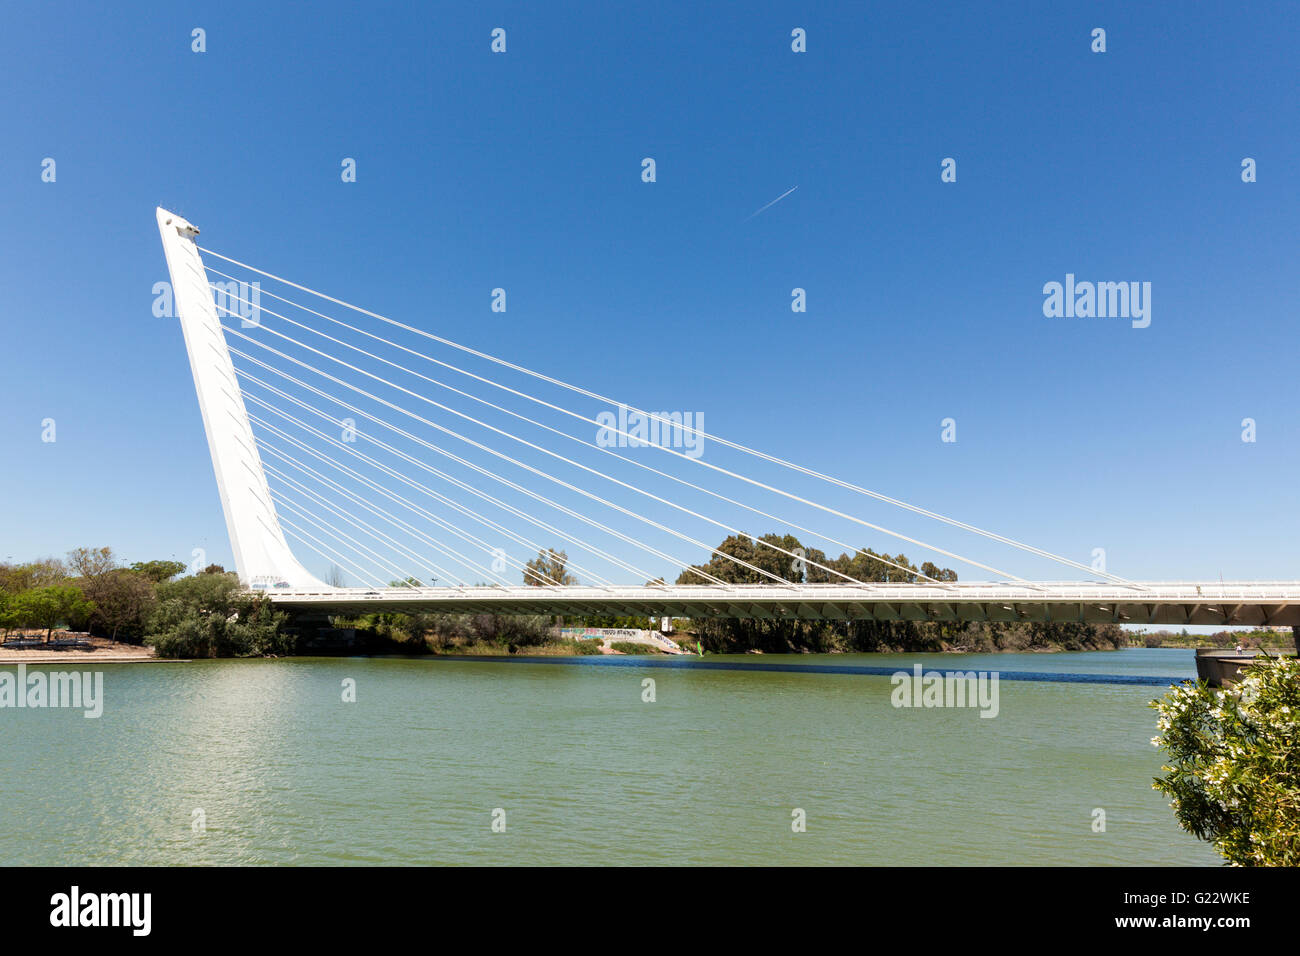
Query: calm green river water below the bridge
x=281 y=771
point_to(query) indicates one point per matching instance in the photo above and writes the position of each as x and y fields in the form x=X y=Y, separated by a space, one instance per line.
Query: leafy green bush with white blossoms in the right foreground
x=1234 y=763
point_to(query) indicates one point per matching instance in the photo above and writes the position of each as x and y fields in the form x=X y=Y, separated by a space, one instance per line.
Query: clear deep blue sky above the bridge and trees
x=523 y=171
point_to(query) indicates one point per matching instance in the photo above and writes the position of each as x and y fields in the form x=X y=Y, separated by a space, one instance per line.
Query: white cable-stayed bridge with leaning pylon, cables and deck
x=414 y=466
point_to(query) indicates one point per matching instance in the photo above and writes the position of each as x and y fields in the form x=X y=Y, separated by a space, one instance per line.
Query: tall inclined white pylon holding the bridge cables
x=262 y=555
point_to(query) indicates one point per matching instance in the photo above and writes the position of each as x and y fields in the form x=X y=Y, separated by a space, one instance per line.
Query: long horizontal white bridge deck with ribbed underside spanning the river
x=1175 y=605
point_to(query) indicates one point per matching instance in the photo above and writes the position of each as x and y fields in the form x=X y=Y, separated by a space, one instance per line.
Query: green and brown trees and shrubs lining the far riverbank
x=159 y=607
